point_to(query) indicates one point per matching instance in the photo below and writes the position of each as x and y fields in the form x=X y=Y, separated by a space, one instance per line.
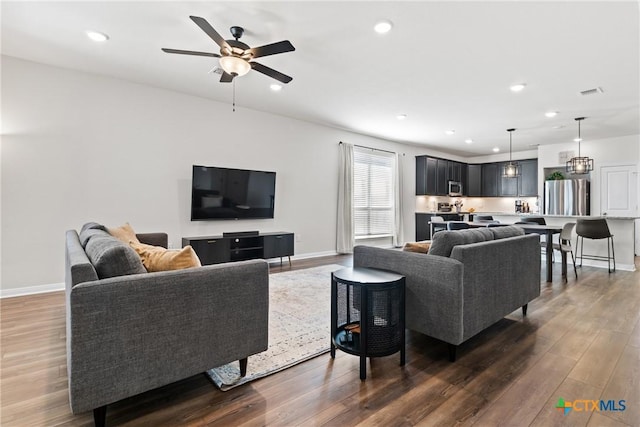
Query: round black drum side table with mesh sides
x=367 y=314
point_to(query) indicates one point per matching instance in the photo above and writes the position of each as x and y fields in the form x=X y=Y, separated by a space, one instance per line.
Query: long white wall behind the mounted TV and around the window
x=79 y=147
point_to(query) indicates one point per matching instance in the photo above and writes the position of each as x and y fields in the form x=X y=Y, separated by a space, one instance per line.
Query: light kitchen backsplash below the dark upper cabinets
x=480 y=204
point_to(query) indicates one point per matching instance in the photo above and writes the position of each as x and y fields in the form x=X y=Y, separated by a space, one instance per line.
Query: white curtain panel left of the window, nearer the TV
x=345 y=233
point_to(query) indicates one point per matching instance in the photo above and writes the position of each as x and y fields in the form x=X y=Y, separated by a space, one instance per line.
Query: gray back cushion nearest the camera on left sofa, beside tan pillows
x=111 y=257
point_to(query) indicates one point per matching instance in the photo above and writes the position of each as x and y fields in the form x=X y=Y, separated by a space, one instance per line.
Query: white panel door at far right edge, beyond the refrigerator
x=618 y=190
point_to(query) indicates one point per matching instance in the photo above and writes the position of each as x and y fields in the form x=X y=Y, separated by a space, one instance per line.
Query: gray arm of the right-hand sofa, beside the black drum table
x=434 y=289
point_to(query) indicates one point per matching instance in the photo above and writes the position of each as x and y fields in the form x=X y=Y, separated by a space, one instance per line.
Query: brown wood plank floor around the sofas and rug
x=580 y=340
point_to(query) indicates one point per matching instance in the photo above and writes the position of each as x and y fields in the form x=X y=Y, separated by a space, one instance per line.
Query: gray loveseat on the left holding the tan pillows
x=136 y=331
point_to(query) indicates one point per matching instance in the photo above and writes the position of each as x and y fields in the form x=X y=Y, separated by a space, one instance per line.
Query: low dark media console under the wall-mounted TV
x=241 y=246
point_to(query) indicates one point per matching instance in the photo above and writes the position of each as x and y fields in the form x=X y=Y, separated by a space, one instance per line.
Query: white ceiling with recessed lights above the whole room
x=446 y=65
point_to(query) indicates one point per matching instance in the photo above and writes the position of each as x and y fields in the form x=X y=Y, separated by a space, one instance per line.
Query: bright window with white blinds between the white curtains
x=373 y=193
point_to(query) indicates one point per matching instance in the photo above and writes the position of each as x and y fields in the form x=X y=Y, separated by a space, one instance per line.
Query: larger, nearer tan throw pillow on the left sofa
x=157 y=258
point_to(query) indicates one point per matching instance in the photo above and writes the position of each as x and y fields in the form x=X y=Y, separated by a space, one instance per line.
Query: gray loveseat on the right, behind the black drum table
x=467 y=281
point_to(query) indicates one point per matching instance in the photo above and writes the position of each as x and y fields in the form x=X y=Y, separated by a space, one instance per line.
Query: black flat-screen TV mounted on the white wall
x=222 y=193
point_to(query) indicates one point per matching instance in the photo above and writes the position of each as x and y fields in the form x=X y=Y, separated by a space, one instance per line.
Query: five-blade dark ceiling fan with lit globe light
x=237 y=58
